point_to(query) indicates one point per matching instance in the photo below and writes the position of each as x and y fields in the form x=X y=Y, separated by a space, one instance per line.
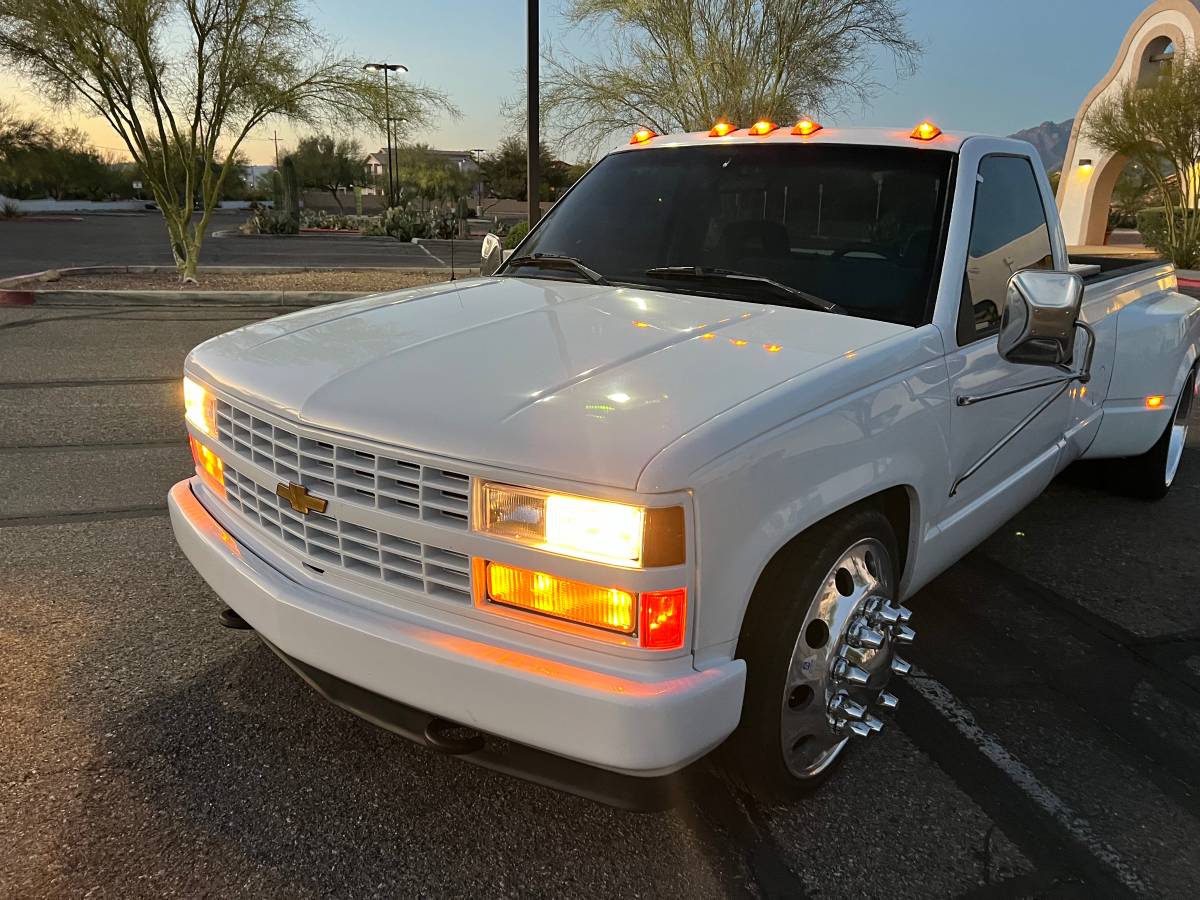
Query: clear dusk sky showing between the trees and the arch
x=988 y=65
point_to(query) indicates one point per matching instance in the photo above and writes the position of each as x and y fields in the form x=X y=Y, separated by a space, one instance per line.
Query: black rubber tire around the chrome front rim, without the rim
x=779 y=609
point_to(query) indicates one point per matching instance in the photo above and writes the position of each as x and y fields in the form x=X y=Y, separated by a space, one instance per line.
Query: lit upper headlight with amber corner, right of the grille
x=585 y=529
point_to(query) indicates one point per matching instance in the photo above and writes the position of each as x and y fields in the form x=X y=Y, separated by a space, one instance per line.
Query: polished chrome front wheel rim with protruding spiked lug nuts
x=843 y=661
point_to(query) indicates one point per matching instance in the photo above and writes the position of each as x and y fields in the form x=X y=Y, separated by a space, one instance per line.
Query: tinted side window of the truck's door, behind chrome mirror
x=1009 y=233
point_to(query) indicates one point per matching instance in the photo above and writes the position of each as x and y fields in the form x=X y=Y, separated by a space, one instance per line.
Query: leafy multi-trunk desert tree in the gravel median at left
x=187 y=80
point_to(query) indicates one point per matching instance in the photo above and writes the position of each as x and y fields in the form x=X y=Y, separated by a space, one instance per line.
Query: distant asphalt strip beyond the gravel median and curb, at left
x=35 y=244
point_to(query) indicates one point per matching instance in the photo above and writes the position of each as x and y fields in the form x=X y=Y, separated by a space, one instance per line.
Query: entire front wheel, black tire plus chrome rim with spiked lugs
x=820 y=645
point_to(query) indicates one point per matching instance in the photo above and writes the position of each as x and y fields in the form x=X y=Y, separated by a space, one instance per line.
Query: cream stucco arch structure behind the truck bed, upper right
x=1085 y=190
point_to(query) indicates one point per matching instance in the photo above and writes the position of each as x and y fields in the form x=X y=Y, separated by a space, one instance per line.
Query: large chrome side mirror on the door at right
x=1041 y=311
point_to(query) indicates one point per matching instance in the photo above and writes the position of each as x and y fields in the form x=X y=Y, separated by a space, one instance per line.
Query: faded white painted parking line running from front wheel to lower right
x=950 y=706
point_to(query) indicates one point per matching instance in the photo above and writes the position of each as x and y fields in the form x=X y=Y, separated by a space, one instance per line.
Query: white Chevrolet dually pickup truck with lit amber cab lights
x=662 y=479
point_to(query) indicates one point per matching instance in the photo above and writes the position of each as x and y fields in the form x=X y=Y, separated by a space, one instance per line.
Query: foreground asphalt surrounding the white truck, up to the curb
x=1048 y=747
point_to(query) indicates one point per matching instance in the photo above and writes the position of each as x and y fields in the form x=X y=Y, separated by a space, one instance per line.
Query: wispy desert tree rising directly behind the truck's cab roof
x=680 y=65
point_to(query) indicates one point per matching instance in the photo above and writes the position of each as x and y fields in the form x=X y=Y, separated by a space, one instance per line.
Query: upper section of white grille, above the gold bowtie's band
x=392 y=484
